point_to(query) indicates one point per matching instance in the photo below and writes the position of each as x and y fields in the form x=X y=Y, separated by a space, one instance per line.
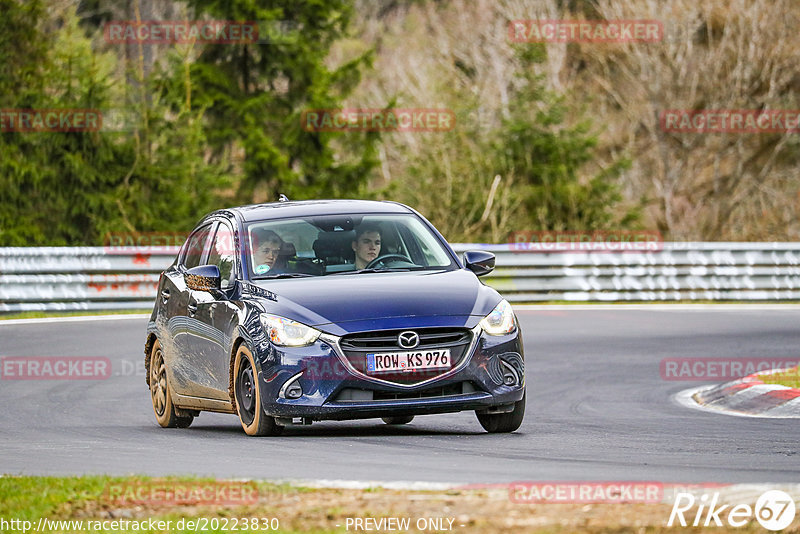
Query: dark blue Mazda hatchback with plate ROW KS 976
x=294 y=312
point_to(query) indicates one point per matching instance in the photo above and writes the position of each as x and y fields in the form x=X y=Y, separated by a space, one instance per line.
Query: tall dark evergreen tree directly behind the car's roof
x=255 y=95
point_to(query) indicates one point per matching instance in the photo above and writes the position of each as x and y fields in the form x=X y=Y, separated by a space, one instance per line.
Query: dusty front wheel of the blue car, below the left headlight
x=247 y=396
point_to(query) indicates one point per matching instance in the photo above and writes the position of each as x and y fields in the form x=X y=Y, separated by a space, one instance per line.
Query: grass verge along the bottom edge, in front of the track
x=97 y=501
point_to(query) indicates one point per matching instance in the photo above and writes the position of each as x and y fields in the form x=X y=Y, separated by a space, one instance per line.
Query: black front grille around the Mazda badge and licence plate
x=357 y=346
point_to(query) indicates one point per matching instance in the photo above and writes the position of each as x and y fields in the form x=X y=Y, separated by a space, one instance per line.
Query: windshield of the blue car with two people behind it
x=338 y=245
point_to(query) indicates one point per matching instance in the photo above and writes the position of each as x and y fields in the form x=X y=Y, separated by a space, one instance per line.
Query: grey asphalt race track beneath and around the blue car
x=597 y=409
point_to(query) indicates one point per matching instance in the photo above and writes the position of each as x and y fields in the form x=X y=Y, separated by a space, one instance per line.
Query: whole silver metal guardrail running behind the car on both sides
x=84 y=278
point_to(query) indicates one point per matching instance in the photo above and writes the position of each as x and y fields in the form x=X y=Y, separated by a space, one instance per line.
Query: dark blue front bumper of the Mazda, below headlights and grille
x=333 y=390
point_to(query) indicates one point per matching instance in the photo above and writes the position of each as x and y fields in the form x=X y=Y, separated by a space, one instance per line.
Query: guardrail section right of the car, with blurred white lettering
x=680 y=271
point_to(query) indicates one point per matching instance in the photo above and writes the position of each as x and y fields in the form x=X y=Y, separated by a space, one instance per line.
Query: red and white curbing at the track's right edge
x=750 y=396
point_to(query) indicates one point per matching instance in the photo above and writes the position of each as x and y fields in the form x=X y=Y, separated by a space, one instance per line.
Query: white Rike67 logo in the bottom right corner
x=774 y=510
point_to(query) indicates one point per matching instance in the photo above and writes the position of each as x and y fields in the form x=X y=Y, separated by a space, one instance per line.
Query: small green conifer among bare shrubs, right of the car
x=545 y=157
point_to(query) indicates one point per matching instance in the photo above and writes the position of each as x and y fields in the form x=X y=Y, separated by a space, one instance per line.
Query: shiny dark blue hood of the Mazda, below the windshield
x=340 y=304
